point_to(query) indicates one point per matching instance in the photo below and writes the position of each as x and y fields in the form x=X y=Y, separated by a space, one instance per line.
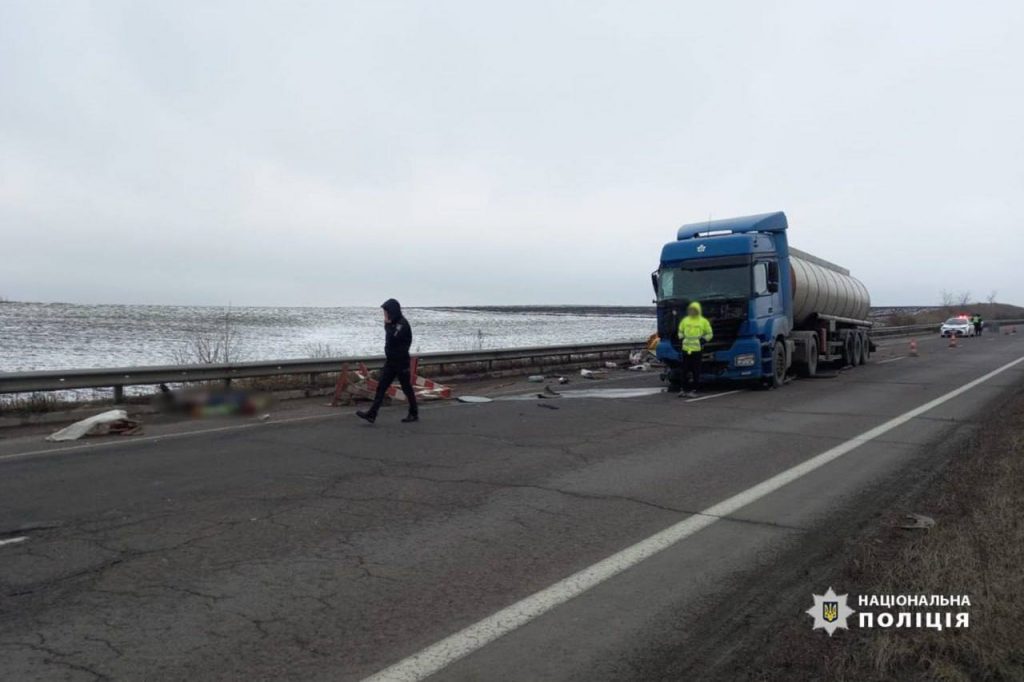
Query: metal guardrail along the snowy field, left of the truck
x=119 y=378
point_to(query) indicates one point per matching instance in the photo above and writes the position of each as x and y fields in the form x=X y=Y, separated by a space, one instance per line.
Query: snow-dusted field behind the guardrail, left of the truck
x=51 y=336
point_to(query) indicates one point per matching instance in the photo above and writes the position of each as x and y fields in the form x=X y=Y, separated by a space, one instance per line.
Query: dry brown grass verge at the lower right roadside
x=976 y=548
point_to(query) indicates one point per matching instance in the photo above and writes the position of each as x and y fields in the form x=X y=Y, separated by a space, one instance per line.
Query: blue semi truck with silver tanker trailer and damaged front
x=774 y=310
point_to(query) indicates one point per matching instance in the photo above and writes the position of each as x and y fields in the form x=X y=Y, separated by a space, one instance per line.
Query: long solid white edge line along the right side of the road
x=442 y=655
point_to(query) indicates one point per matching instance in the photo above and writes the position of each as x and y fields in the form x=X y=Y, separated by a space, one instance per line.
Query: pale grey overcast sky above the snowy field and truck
x=484 y=153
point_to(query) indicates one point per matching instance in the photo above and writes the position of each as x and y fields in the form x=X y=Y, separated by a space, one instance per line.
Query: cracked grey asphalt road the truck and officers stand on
x=322 y=548
